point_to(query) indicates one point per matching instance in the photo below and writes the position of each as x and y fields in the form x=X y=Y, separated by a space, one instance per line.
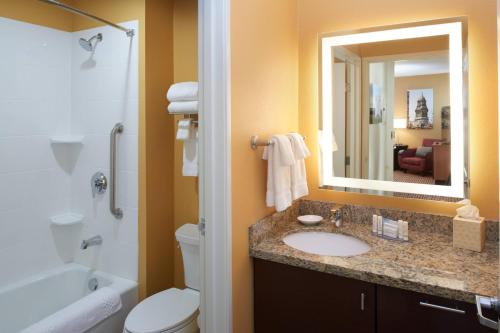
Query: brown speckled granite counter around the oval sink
x=427 y=264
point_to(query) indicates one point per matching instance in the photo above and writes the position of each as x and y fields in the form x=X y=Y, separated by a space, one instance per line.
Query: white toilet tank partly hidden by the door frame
x=188 y=237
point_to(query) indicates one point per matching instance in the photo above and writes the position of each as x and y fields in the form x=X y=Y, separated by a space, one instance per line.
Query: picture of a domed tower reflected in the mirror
x=420 y=105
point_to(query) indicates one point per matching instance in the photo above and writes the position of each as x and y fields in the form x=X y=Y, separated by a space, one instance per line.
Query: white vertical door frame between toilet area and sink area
x=215 y=165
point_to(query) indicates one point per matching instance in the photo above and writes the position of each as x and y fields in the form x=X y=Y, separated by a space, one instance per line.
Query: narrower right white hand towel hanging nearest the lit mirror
x=298 y=168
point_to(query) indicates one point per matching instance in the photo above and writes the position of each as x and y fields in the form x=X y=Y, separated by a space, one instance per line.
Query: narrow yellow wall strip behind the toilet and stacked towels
x=185 y=69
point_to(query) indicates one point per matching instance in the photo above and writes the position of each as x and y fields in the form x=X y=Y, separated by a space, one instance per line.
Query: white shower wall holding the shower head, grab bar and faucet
x=102 y=95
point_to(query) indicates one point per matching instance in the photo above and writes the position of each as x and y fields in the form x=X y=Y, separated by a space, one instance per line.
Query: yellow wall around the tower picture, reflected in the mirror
x=440 y=85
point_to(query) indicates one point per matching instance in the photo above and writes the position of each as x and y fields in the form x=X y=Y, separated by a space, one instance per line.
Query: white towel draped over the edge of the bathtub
x=81 y=315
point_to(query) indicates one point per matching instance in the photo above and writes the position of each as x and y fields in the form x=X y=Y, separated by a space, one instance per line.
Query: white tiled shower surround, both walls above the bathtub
x=50 y=86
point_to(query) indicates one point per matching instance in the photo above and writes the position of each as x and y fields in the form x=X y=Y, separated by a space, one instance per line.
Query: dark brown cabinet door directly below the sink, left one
x=290 y=299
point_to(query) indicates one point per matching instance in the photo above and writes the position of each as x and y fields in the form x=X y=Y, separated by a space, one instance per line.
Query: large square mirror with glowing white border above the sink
x=393 y=111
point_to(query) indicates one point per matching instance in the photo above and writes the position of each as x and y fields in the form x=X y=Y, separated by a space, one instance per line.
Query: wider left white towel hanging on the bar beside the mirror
x=280 y=158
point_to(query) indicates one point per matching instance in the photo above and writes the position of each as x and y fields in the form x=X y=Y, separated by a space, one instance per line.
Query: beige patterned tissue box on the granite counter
x=469 y=234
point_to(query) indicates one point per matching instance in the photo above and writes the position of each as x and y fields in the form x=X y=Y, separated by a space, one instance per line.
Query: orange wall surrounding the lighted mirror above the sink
x=326 y=16
